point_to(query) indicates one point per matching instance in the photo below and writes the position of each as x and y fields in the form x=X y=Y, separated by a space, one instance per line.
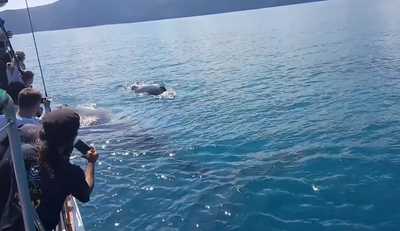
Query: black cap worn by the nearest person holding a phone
x=60 y=125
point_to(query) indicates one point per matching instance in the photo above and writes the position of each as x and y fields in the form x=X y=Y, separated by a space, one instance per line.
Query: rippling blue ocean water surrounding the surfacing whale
x=285 y=118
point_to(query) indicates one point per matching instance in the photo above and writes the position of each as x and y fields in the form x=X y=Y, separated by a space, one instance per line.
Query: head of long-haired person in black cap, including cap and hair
x=58 y=133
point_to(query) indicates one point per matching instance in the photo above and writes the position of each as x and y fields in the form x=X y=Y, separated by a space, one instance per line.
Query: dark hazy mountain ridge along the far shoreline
x=65 y=14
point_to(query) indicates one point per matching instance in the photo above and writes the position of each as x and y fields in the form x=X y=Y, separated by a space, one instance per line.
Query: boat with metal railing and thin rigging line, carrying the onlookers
x=70 y=216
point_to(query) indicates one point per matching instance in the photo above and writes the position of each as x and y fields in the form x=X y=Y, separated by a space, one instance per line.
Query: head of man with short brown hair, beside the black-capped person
x=29 y=101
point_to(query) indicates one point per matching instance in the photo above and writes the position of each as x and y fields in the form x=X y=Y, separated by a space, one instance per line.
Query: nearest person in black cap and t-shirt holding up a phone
x=58 y=177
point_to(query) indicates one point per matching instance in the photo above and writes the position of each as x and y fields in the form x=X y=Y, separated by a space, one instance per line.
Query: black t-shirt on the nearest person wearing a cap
x=67 y=180
